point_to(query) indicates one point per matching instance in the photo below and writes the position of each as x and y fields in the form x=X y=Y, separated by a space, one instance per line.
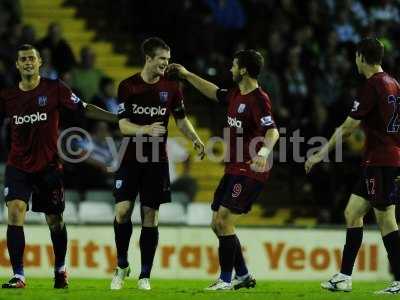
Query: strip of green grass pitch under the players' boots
x=41 y=289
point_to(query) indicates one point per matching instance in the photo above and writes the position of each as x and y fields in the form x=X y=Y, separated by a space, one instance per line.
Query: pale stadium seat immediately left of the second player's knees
x=96 y=212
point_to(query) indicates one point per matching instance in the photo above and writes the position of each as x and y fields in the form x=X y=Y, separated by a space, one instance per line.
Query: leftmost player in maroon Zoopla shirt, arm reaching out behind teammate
x=33 y=167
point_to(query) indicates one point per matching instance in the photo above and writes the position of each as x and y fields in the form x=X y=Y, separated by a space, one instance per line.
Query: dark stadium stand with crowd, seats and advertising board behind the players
x=311 y=78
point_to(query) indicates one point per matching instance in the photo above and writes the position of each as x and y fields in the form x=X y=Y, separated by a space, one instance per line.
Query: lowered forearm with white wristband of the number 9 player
x=259 y=163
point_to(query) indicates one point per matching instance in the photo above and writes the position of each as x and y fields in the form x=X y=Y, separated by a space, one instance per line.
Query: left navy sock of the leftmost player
x=16 y=247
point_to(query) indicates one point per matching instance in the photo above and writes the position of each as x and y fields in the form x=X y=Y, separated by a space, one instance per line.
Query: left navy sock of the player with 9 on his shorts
x=226 y=252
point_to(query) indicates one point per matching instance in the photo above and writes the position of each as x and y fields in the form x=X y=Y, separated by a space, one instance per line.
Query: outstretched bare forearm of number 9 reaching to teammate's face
x=207 y=88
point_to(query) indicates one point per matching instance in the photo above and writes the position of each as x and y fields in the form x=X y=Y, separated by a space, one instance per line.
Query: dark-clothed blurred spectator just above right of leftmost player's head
x=62 y=56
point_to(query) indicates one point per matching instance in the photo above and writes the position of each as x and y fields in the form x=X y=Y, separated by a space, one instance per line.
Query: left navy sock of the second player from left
x=123 y=233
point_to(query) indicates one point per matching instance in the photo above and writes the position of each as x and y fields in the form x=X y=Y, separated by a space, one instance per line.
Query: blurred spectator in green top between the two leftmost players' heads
x=86 y=77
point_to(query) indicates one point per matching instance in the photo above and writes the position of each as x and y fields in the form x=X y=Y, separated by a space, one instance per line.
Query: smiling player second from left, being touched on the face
x=146 y=101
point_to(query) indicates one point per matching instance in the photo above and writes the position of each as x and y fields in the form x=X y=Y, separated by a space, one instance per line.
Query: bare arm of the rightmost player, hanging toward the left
x=343 y=132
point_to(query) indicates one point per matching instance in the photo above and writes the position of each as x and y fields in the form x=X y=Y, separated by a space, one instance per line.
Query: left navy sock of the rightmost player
x=350 y=250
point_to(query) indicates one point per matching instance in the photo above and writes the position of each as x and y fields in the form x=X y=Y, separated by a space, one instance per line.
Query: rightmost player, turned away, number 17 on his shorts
x=376 y=109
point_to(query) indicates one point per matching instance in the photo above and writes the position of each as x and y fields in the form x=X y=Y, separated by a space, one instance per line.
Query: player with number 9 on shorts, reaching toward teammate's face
x=249 y=118
